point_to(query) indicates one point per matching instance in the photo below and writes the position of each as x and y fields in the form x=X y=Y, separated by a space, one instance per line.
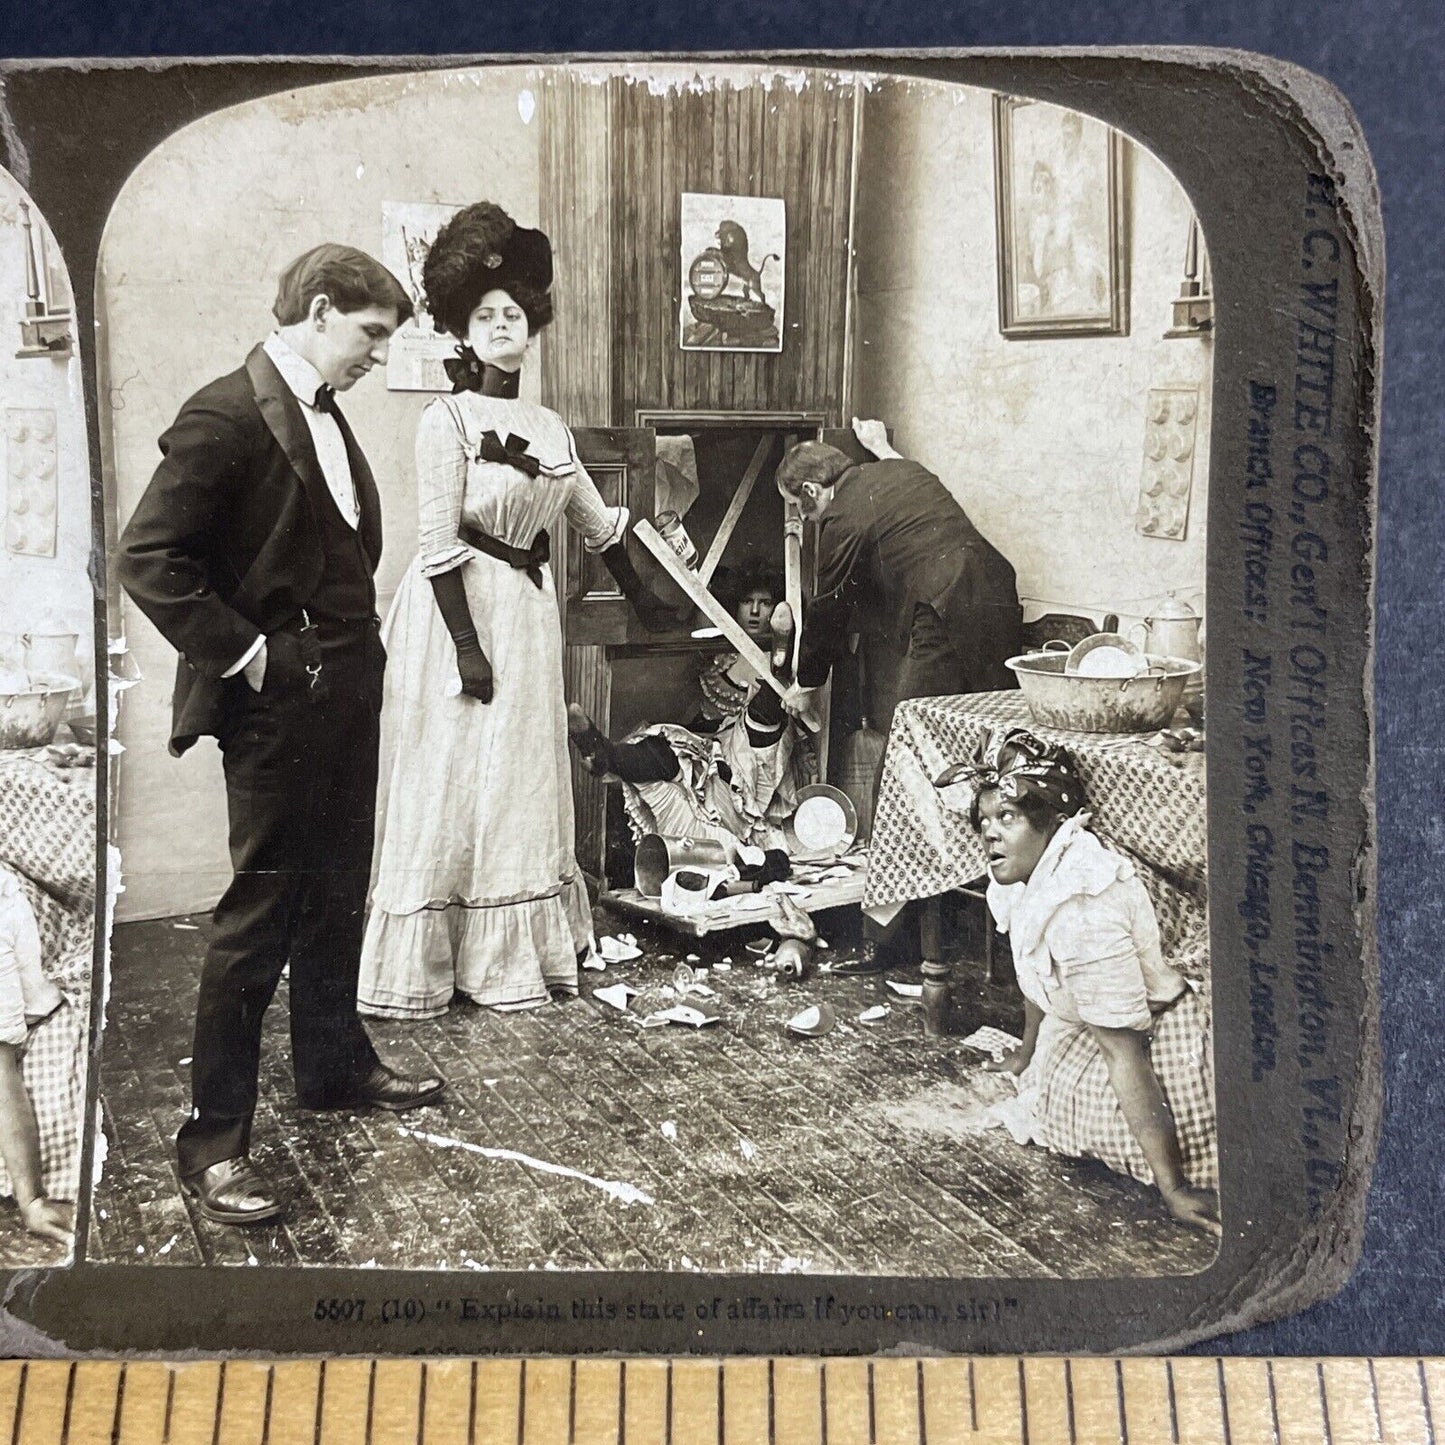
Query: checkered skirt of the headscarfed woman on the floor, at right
x=1079 y=1113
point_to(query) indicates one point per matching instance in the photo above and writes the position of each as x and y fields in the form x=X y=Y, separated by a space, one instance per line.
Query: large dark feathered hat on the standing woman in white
x=482 y=249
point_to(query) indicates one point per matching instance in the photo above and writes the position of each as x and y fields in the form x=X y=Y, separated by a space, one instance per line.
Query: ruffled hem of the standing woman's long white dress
x=508 y=957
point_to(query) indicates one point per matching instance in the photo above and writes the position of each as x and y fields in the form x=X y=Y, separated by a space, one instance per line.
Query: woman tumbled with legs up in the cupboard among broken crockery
x=736 y=784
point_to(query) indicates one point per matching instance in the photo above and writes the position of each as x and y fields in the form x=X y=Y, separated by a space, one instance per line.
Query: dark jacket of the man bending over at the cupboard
x=895 y=538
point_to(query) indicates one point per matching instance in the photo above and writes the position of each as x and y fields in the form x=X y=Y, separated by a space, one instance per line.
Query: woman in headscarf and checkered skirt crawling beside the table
x=1116 y=1060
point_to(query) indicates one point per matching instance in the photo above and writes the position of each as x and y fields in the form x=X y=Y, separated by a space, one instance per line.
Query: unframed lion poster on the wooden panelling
x=733 y=255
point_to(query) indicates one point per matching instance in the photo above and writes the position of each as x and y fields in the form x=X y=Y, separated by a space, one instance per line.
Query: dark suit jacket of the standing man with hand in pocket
x=225 y=545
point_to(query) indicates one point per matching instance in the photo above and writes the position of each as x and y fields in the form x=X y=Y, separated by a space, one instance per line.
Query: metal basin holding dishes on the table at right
x=1066 y=700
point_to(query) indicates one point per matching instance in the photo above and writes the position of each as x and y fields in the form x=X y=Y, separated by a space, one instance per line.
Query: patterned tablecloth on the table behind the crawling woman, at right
x=1144 y=806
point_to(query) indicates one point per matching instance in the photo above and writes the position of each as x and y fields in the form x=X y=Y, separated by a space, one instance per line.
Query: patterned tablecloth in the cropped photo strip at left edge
x=48 y=842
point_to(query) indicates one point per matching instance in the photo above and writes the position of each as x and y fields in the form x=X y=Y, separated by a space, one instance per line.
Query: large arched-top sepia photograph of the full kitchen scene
x=624 y=774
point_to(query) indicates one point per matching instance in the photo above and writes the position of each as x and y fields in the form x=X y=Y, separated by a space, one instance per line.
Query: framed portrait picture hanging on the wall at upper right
x=1061 y=220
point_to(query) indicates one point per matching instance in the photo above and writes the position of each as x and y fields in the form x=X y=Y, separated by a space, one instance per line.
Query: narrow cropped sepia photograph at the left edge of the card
x=48 y=756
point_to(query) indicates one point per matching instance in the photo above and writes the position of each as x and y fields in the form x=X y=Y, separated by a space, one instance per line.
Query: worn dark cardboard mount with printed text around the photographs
x=1271 y=157
